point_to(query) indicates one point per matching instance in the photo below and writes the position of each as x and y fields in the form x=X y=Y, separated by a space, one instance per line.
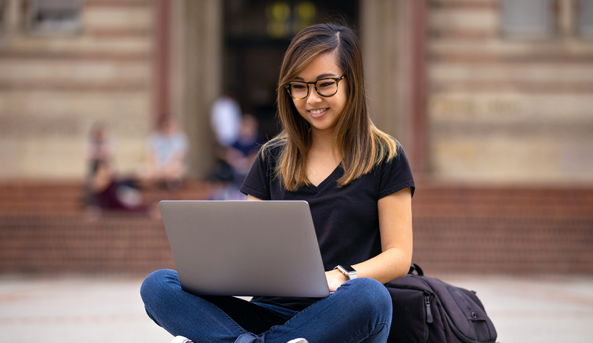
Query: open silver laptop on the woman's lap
x=245 y=248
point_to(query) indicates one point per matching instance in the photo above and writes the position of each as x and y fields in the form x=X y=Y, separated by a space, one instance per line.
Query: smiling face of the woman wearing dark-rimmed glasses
x=322 y=112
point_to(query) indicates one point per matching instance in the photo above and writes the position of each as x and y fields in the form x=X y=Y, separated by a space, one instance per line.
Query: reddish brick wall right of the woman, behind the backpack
x=503 y=230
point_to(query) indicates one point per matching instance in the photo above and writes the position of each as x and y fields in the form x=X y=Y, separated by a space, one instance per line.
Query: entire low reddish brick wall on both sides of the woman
x=457 y=229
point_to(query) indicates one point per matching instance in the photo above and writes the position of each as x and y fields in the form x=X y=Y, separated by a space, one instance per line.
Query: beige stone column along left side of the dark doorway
x=196 y=73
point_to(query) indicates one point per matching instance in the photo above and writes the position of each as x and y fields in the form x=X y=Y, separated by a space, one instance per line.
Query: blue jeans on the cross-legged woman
x=359 y=311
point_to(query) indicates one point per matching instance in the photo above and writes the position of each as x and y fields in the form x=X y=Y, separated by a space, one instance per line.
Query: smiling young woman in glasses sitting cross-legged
x=359 y=187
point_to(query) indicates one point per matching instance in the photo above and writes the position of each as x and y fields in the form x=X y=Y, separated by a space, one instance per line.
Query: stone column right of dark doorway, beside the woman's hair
x=394 y=86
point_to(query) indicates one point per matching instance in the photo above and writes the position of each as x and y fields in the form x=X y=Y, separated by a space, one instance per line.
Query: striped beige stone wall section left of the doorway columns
x=65 y=66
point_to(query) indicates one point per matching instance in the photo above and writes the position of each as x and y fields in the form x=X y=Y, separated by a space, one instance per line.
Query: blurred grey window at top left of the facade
x=54 y=16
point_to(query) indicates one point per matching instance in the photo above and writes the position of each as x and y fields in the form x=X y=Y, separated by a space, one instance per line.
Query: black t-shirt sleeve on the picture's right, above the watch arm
x=395 y=175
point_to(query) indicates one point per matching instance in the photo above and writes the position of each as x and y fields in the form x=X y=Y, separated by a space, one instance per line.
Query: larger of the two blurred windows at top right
x=527 y=19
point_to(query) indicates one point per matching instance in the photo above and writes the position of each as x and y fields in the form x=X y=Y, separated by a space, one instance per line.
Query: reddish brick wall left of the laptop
x=45 y=229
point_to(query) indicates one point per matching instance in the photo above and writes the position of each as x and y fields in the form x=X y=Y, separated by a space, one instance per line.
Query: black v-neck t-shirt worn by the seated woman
x=346 y=219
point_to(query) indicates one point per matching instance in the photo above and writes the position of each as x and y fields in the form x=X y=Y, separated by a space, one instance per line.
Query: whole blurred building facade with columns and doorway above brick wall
x=484 y=91
